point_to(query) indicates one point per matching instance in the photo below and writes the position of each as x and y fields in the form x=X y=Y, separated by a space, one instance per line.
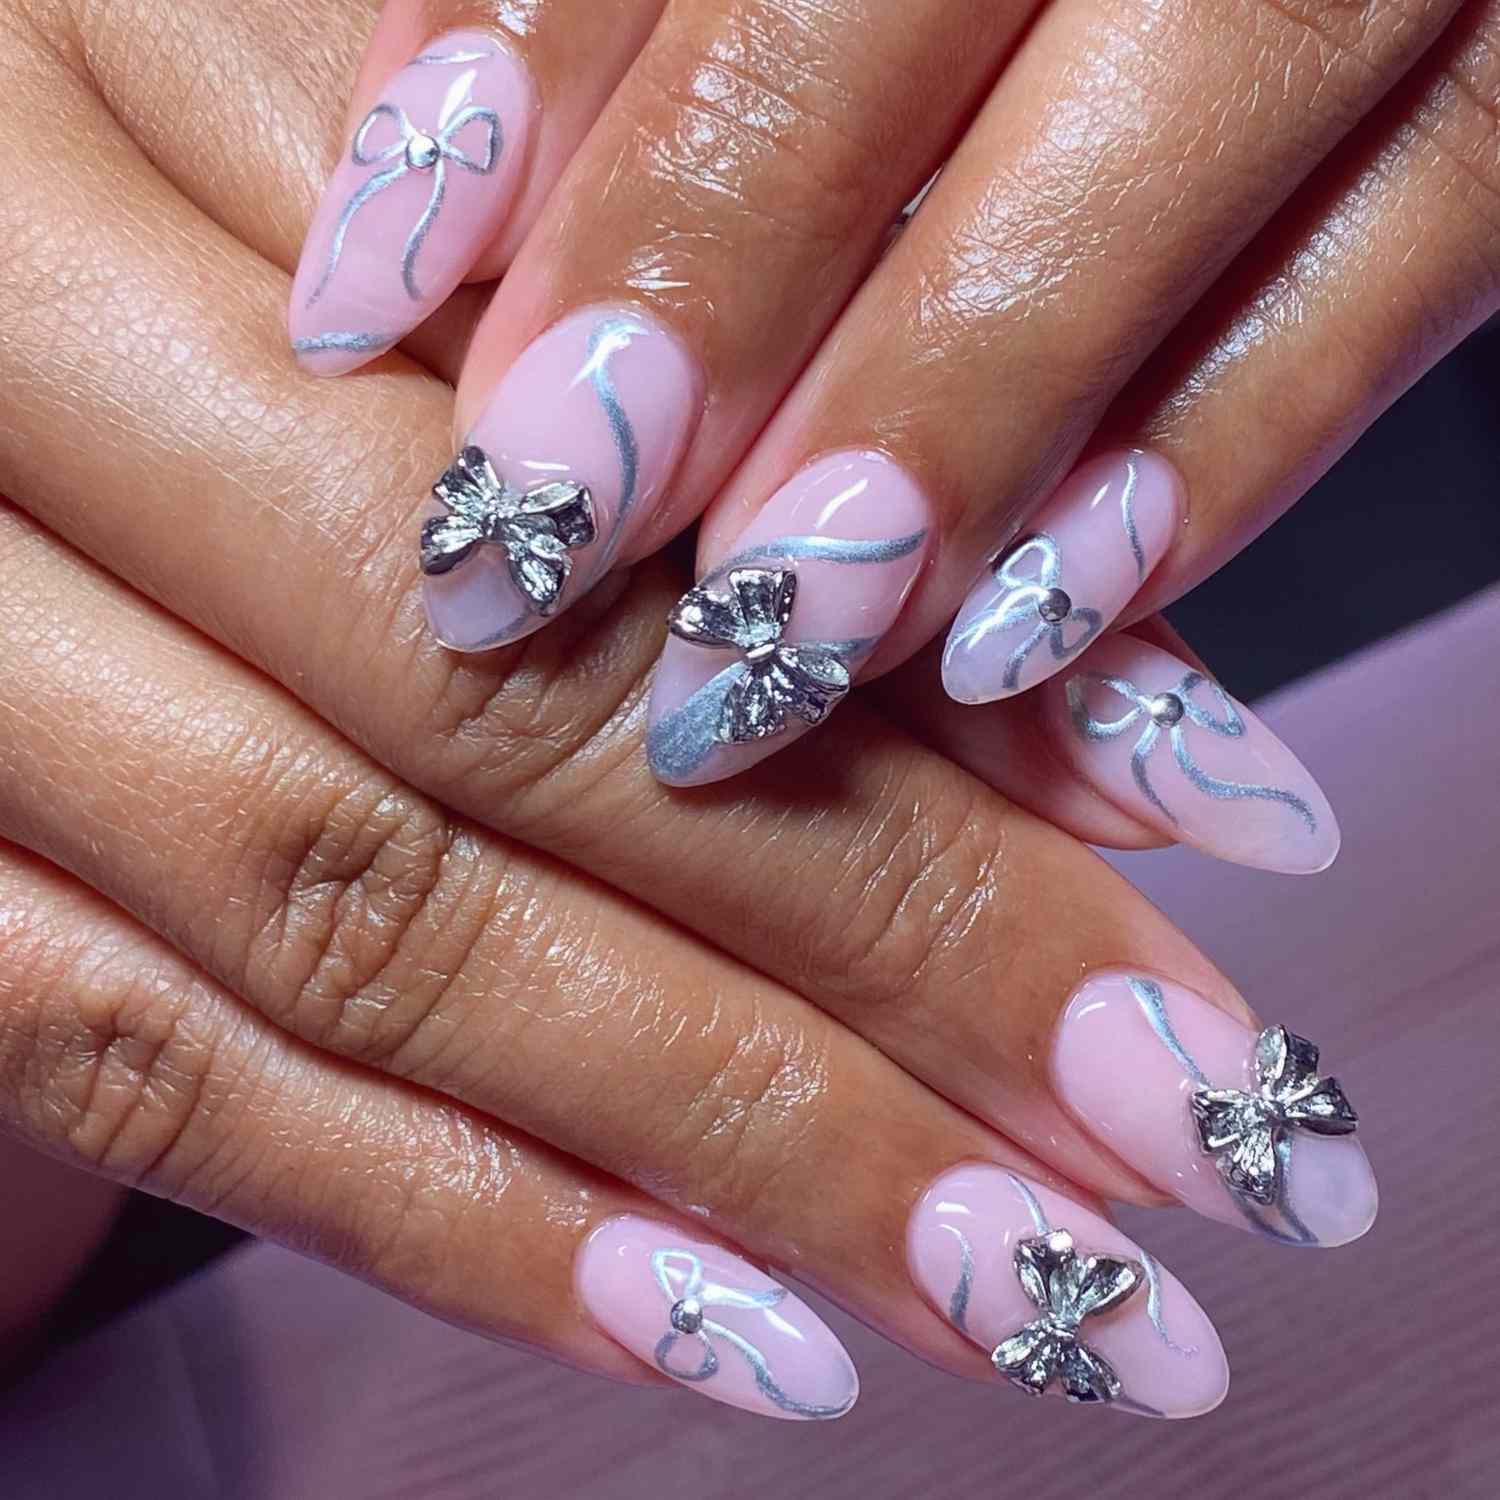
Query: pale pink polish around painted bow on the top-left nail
x=367 y=293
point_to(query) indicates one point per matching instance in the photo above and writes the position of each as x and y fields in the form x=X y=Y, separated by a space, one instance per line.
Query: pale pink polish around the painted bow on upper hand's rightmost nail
x=1097 y=569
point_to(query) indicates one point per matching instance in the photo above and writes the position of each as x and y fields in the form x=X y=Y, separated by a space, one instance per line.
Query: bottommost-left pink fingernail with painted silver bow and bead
x=712 y=1321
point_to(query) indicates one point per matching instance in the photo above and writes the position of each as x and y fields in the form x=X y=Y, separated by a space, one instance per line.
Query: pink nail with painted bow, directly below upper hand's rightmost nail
x=1171 y=748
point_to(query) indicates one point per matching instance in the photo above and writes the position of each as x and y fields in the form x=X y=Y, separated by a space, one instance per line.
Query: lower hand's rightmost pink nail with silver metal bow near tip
x=1240 y=1126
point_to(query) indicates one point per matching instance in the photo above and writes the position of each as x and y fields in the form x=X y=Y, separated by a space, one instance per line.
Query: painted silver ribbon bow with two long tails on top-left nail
x=413 y=151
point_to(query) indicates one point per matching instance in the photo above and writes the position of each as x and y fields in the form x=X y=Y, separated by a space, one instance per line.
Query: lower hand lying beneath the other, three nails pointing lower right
x=407 y=959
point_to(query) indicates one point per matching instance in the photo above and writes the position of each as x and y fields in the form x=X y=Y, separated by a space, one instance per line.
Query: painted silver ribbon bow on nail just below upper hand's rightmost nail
x=1172 y=713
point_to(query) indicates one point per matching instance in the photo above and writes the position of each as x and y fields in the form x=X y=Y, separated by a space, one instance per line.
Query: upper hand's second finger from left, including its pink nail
x=733 y=196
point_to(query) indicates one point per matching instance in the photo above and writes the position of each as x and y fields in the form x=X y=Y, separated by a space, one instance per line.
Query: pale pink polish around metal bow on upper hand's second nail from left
x=544 y=422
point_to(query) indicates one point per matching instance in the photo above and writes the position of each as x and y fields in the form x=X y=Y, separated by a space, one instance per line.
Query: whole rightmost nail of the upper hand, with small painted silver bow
x=1046 y=598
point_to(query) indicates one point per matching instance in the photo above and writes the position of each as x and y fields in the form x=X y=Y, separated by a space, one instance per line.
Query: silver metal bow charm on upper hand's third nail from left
x=778 y=679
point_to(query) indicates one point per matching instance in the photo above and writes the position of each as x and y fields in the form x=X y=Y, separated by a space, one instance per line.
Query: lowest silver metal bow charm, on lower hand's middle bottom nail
x=1067 y=1289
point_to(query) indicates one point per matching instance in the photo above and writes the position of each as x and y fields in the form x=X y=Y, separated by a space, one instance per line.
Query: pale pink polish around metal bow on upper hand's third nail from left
x=850 y=496
